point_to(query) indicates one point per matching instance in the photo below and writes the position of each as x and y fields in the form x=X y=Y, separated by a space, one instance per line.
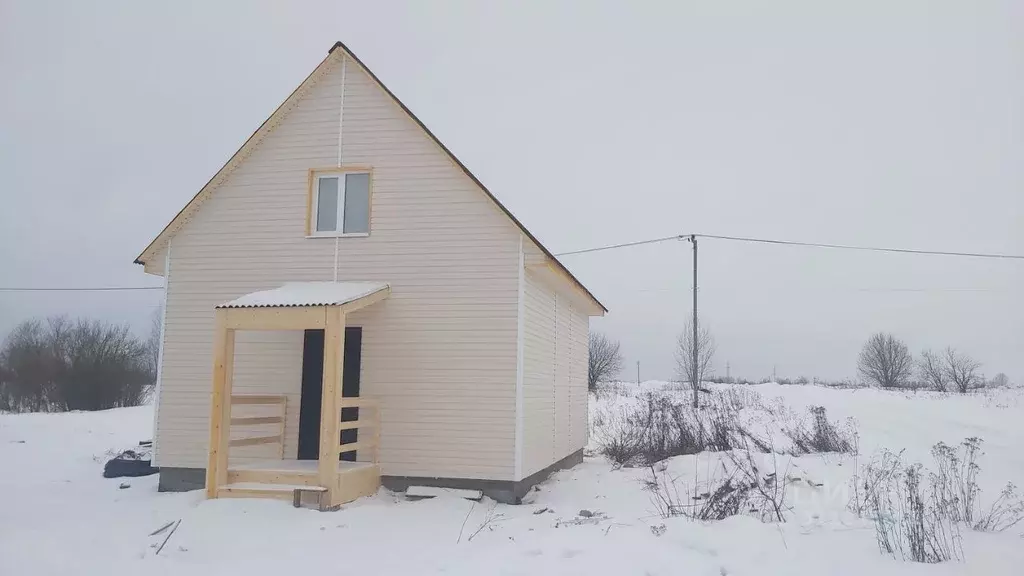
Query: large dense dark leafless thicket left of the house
x=63 y=365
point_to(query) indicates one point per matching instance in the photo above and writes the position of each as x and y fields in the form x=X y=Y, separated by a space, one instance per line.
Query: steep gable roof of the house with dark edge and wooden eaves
x=269 y=125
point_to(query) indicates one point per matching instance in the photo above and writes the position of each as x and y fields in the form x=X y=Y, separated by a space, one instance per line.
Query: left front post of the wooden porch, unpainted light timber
x=221 y=405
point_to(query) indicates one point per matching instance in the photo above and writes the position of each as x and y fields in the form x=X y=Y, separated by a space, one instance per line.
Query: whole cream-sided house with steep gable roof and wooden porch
x=345 y=276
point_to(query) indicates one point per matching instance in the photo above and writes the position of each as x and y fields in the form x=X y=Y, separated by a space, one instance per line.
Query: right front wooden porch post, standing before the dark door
x=330 y=449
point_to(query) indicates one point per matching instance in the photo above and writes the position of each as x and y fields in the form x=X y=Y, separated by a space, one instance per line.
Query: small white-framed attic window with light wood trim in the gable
x=340 y=204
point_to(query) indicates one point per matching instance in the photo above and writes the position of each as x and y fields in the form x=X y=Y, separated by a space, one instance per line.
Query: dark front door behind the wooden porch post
x=313 y=387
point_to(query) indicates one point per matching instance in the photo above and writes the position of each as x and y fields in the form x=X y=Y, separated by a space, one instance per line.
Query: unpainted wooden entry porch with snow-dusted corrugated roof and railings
x=314 y=306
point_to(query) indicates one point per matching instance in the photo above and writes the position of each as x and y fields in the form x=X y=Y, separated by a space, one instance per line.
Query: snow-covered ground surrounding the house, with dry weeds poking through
x=59 y=516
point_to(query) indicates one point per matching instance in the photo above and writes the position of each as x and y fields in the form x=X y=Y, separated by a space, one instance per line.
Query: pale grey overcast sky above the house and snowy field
x=871 y=122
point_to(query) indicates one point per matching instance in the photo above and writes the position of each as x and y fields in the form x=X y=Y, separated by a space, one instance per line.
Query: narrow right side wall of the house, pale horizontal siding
x=556 y=377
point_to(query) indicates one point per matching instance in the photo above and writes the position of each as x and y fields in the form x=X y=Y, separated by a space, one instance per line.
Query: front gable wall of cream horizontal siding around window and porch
x=441 y=353
